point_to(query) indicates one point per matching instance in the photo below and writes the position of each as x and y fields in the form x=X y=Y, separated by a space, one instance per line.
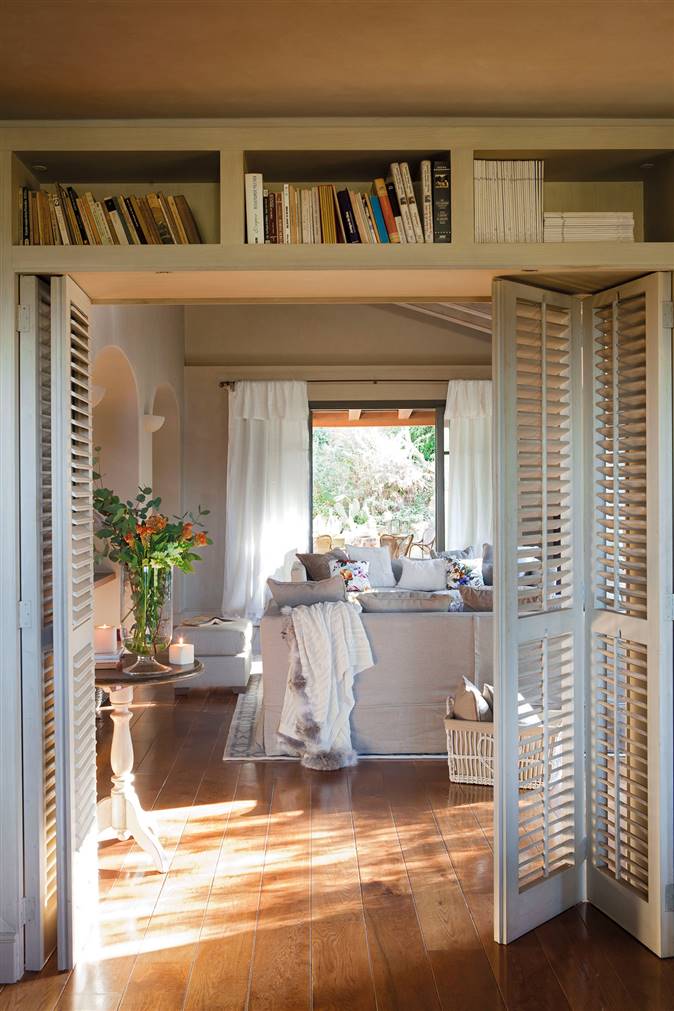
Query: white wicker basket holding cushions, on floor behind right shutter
x=470 y=754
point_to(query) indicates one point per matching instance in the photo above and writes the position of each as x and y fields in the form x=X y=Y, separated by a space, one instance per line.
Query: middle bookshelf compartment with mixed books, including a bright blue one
x=330 y=198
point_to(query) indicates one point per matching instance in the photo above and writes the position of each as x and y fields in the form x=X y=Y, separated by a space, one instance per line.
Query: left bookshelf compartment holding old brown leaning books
x=195 y=175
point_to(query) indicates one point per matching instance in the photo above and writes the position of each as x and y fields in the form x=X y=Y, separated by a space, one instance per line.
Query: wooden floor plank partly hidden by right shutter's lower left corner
x=525 y=977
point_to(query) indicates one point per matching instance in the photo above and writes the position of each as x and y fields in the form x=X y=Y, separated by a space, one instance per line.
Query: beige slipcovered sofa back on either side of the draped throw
x=420 y=660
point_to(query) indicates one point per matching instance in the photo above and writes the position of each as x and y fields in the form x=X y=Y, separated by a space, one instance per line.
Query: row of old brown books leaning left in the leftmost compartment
x=63 y=218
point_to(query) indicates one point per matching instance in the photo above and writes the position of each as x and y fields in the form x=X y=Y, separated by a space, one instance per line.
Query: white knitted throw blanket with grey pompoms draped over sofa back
x=329 y=648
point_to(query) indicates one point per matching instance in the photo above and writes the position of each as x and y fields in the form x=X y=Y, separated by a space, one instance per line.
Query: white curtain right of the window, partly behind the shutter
x=469 y=500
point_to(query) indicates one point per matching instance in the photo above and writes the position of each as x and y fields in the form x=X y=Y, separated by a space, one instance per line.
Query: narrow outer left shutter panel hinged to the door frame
x=38 y=626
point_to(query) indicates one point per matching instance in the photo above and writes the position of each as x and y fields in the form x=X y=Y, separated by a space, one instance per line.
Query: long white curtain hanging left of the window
x=268 y=490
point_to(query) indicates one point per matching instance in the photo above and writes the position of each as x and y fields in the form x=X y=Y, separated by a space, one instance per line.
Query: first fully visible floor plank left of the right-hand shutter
x=449 y=932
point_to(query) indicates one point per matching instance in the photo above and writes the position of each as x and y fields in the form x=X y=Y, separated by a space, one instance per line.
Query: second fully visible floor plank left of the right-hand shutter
x=401 y=965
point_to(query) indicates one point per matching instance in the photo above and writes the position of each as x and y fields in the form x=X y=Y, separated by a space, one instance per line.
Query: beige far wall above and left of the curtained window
x=220 y=340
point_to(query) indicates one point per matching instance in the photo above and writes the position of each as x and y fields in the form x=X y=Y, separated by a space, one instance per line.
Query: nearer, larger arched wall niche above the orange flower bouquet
x=117 y=422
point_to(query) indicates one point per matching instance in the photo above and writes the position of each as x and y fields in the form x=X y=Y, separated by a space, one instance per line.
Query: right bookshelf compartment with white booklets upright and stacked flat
x=608 y=182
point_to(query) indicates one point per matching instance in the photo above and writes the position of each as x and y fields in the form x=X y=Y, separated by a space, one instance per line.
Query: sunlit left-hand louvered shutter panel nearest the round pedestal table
x=73 y=617
